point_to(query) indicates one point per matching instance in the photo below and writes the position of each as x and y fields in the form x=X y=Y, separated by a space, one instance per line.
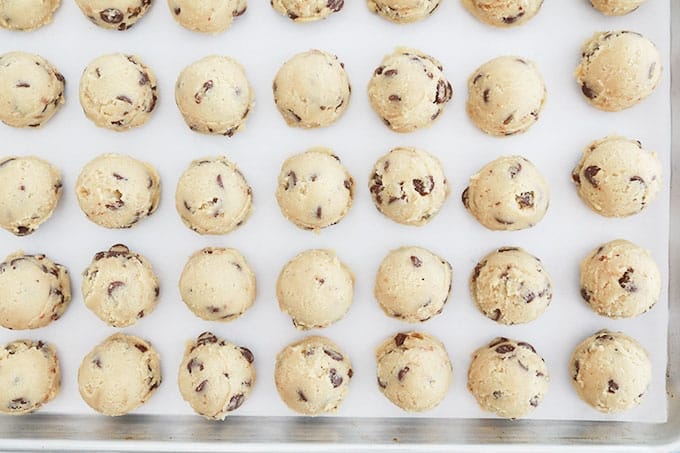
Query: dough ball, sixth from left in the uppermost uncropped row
x=505 y=96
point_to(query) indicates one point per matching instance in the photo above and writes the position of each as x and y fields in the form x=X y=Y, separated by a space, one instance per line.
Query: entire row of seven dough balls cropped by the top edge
x=216 y=16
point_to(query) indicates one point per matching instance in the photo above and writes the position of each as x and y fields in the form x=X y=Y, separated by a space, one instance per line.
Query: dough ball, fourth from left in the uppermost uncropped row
x=312 y=89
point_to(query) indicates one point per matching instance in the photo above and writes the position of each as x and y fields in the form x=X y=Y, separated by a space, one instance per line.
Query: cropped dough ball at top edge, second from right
x=503 y=13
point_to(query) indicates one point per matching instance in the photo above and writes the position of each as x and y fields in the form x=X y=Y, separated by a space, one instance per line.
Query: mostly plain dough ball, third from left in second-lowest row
x=217 y=284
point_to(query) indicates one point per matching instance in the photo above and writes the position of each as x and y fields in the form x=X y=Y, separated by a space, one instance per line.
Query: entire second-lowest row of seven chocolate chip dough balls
x=510 y=286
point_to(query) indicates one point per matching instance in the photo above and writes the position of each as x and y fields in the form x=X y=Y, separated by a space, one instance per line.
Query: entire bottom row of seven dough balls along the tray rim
x=610 y=371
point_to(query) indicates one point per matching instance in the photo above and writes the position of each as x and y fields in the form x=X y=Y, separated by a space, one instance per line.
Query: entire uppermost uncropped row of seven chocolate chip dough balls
x=408 y=90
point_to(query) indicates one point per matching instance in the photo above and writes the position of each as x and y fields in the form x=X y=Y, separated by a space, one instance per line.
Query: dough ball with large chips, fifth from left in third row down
x=408 y=185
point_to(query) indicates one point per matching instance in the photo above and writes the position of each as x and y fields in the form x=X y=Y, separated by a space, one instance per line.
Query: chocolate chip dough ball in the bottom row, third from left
x=215 y=377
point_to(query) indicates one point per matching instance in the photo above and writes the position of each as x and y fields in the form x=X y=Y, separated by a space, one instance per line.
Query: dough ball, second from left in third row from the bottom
x=117 y=191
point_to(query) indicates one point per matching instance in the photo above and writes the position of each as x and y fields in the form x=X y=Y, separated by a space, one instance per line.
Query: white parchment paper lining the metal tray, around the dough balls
x=262 y=40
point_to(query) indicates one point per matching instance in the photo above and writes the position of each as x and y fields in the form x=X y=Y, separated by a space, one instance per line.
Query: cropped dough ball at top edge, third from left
x=206 y=16
